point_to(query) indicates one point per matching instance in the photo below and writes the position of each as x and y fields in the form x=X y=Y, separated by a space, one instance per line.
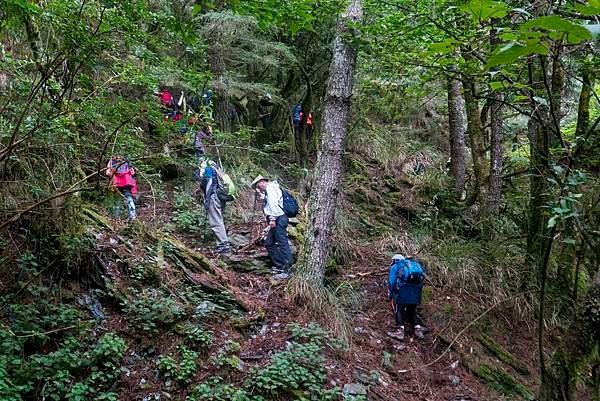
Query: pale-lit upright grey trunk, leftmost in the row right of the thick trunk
x=456 y=127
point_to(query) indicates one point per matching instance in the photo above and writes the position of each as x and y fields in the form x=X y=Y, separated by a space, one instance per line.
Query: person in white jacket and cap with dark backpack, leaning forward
x=277 y=242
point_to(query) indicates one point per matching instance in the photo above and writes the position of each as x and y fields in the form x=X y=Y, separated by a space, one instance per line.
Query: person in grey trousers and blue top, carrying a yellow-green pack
x=214 y=209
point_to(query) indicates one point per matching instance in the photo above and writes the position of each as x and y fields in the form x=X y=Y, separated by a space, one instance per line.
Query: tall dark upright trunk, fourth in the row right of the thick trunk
x=538 y=132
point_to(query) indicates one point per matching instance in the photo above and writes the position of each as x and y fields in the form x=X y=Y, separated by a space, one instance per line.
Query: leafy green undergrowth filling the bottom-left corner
x=49 y=352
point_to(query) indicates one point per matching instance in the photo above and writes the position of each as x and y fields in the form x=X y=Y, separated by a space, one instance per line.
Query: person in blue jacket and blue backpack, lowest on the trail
x=405 y=284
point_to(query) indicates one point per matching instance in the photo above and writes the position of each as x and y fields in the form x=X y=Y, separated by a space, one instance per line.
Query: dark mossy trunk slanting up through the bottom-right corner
x=575 y=352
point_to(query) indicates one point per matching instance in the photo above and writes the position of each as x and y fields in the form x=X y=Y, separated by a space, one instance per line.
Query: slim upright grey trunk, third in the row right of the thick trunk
x=496 y=154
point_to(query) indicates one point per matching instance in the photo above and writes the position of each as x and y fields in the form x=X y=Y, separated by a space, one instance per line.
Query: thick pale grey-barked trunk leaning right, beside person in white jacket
x=324 y=194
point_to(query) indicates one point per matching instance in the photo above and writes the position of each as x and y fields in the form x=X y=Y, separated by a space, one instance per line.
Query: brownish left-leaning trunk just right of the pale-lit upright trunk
x=475 y=132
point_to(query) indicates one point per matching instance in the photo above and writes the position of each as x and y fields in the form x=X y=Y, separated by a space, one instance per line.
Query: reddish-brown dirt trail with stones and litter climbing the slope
x=388 y=367
